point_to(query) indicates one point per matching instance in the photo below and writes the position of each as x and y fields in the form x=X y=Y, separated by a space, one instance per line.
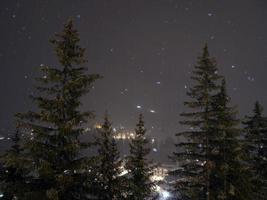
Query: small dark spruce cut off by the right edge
x=256 y=149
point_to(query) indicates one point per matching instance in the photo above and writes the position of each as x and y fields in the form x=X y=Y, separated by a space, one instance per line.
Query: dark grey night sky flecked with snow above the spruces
x=145 y=49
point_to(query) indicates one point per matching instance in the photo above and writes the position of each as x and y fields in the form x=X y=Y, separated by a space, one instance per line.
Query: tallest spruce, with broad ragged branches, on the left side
x=58 y=169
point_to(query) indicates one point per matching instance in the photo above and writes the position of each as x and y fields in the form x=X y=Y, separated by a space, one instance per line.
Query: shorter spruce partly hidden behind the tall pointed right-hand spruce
x=229 y=177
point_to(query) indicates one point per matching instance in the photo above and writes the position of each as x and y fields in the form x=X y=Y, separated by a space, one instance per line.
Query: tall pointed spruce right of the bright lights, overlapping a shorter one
x=194 y=150
